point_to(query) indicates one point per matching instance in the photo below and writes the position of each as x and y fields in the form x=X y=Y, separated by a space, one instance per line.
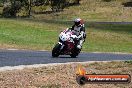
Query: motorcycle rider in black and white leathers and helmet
x=79 y=29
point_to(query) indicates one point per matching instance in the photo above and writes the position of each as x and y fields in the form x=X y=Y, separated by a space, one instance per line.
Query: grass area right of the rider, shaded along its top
x=110 y=38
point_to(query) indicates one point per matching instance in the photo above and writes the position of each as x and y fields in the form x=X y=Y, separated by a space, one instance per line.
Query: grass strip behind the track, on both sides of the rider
x=43 y=35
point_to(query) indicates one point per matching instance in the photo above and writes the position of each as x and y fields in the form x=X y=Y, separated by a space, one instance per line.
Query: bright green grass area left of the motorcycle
x=26 y=34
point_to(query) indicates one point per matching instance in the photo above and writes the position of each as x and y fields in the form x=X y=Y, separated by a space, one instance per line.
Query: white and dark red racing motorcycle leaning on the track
x=66 y=45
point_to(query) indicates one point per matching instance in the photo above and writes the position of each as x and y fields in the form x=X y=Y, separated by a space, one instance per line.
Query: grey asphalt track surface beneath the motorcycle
x=23 y=57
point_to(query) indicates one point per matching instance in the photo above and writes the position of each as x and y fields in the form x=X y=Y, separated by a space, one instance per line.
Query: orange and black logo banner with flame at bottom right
x=83 y=78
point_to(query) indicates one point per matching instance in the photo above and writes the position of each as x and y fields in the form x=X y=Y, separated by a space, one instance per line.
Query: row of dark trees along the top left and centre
x=12 y=7
